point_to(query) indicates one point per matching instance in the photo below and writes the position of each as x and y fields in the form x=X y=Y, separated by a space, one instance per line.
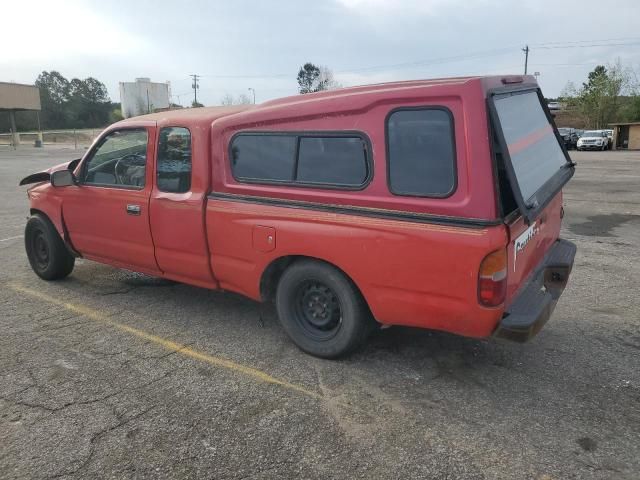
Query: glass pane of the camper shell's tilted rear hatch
x=534 y=150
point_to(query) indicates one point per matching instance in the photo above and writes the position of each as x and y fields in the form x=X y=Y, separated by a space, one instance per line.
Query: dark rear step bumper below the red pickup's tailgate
x=535 y=302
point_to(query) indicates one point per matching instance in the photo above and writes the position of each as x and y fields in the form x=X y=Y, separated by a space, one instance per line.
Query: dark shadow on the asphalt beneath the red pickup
x=411 y=352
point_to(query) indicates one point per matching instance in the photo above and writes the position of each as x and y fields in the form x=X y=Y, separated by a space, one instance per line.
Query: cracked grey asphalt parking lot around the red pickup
x=112 y=374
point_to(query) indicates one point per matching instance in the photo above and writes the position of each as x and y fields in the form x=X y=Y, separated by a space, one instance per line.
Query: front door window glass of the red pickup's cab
x=119 y=160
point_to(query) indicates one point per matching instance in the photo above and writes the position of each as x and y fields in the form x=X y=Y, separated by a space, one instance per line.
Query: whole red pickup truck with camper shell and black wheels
x=432 y=203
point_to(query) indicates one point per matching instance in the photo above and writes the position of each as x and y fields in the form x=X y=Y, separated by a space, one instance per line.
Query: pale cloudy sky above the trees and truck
x=240 y=45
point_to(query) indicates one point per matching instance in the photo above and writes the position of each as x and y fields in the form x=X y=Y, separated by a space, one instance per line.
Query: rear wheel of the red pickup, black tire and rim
x=321 y=310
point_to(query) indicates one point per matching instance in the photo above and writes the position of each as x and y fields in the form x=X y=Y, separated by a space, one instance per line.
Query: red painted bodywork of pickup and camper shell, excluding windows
x=410 y=273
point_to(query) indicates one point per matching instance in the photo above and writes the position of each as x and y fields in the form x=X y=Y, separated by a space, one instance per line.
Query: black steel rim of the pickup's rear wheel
x=318 y=309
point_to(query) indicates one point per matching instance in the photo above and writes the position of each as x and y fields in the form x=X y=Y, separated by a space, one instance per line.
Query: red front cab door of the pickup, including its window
x=107 y=212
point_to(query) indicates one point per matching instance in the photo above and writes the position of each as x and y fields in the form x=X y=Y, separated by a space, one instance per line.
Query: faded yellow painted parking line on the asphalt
x=96 y=316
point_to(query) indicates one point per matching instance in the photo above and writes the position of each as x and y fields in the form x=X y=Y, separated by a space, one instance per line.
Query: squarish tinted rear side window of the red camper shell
x=421 y=153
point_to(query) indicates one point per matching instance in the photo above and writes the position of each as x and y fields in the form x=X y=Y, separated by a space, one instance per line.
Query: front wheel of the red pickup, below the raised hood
x=47 y=253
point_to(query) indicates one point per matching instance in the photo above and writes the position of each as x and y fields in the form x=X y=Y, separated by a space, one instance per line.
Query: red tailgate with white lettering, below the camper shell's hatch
x=528 y=244
